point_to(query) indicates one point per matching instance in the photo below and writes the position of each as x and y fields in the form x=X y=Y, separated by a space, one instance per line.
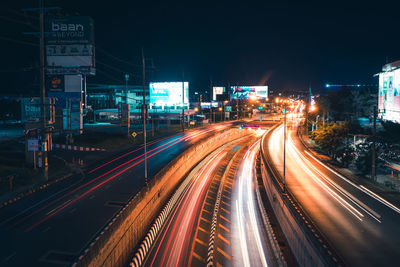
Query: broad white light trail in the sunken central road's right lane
x=246 y=199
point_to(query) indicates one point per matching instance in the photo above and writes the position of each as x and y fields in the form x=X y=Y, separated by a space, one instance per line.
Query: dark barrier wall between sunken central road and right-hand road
x=308 y=244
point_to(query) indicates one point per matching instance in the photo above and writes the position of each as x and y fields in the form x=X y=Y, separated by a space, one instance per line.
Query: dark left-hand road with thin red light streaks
x=53 y=226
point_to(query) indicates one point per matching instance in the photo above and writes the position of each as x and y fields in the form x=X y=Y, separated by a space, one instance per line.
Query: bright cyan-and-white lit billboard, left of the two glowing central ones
x=168 y=93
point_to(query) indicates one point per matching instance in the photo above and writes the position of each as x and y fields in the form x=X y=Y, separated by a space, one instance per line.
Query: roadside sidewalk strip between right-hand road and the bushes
x=386 y=186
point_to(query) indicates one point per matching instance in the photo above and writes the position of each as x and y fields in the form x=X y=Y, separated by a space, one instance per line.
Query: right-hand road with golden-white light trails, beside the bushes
x=362 y=227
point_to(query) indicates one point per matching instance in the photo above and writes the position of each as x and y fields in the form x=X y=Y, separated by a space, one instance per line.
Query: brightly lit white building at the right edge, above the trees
x=389 y=92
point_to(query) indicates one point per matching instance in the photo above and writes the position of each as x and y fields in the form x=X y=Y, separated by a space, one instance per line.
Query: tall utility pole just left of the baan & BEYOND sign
x=43 y=90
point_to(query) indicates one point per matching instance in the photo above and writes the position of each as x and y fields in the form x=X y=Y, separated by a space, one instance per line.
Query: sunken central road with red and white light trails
x=220 y=189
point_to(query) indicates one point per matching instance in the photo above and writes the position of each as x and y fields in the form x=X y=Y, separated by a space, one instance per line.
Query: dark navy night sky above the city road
x=284 y=45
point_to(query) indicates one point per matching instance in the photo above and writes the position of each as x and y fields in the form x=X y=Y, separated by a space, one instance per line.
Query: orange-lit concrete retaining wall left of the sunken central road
x=116 y=243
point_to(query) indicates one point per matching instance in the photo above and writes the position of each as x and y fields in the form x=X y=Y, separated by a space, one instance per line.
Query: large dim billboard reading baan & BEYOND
x=70 y=45
